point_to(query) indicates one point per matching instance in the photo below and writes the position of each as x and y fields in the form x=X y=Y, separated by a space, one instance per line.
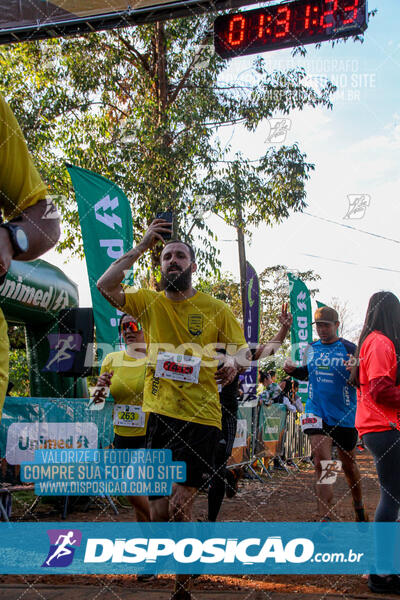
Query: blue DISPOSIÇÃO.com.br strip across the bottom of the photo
x=212 y=548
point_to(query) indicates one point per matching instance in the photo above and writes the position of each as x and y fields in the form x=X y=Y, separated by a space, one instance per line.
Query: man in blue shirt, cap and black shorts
x=330 y=409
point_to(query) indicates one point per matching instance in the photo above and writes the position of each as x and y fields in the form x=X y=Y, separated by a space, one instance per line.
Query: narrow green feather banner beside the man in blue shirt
x=301 y=331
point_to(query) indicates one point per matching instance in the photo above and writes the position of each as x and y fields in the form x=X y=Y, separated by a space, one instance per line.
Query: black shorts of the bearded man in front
x=192 y=443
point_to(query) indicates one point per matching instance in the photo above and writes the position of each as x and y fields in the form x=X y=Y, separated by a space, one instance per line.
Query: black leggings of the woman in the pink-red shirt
x=385 y=448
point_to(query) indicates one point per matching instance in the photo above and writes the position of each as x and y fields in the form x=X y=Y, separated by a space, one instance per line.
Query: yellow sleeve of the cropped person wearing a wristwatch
x=20 y=183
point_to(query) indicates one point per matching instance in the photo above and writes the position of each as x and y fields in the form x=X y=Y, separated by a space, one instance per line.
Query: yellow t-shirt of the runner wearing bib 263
x=127 y=385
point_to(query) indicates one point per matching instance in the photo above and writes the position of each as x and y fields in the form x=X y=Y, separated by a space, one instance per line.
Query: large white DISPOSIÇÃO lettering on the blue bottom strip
x=191 y=550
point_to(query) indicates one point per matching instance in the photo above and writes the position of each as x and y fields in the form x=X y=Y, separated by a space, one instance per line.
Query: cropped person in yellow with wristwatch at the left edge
x=32 y=225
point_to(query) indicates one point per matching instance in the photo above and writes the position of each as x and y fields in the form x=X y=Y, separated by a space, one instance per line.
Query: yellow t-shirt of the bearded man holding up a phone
x=190 y=327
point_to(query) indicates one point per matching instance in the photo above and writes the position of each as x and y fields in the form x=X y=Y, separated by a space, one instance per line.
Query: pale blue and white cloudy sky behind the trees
x=355 y=148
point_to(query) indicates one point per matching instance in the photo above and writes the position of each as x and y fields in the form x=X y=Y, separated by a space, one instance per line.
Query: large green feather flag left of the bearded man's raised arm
x=106 y=223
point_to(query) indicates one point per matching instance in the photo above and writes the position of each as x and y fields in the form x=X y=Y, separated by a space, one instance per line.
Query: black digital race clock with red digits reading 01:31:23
x=289 y=24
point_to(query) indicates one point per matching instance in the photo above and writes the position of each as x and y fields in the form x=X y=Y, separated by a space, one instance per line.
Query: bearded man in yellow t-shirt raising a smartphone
x=180 y=391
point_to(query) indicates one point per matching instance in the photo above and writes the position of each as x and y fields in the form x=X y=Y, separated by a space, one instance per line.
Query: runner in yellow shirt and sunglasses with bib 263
x=124 y=372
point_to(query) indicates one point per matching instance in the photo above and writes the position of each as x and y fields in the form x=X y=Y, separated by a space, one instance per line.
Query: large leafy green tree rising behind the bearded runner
x=132 y=105
